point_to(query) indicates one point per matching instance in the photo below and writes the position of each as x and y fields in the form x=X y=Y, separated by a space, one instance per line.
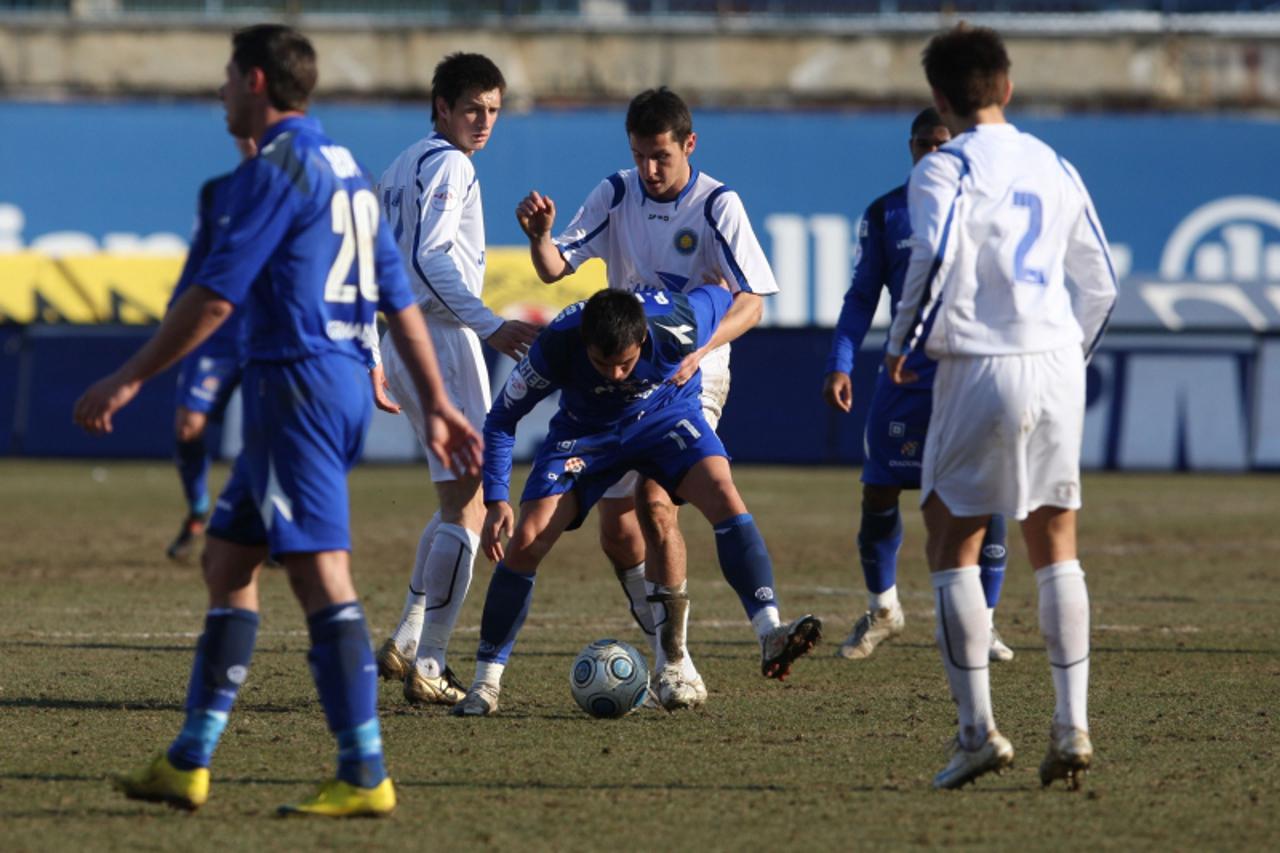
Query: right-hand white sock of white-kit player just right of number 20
x=450 y=567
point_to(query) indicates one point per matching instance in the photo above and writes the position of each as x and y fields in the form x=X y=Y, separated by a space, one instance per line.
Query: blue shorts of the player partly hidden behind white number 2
x=897 y=427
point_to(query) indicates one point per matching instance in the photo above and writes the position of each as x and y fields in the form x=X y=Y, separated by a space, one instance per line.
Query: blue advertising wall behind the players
x=1190 y=377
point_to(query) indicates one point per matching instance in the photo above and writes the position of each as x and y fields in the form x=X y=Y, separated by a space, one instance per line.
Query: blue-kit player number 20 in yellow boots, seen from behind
x=305 y=247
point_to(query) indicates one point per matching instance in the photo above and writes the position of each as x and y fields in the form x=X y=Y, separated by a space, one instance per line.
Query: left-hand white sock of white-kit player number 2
x=964 y=641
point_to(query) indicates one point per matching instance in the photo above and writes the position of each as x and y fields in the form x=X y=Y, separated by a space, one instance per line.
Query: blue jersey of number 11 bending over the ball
x=589 y=404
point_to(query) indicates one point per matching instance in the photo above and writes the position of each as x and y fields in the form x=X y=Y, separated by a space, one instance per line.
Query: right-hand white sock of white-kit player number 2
x=1064 y=612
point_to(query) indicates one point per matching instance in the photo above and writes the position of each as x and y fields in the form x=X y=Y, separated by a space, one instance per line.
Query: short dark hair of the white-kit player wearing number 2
x=970 y=67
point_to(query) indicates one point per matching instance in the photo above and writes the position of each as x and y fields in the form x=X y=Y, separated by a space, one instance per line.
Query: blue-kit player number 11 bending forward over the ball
x=612 y=359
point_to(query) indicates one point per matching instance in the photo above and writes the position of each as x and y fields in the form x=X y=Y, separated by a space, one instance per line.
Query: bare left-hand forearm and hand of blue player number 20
x=188 y=325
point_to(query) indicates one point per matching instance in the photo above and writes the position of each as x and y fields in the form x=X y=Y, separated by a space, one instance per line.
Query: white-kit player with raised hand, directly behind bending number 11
x=666 y=225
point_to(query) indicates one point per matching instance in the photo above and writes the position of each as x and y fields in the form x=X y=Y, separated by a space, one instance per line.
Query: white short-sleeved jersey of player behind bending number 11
x=675 y=245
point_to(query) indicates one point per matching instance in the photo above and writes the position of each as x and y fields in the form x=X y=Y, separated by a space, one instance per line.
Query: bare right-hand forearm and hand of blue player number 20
x=454 y=440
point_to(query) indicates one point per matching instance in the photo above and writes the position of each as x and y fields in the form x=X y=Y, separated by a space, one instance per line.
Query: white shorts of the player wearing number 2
x=1005 y=434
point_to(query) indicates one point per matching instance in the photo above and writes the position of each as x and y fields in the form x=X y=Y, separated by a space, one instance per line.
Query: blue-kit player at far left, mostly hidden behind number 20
x=208 y=377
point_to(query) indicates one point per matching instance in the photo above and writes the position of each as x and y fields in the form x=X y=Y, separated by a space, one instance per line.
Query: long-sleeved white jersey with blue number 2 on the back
x=1000 y=223
